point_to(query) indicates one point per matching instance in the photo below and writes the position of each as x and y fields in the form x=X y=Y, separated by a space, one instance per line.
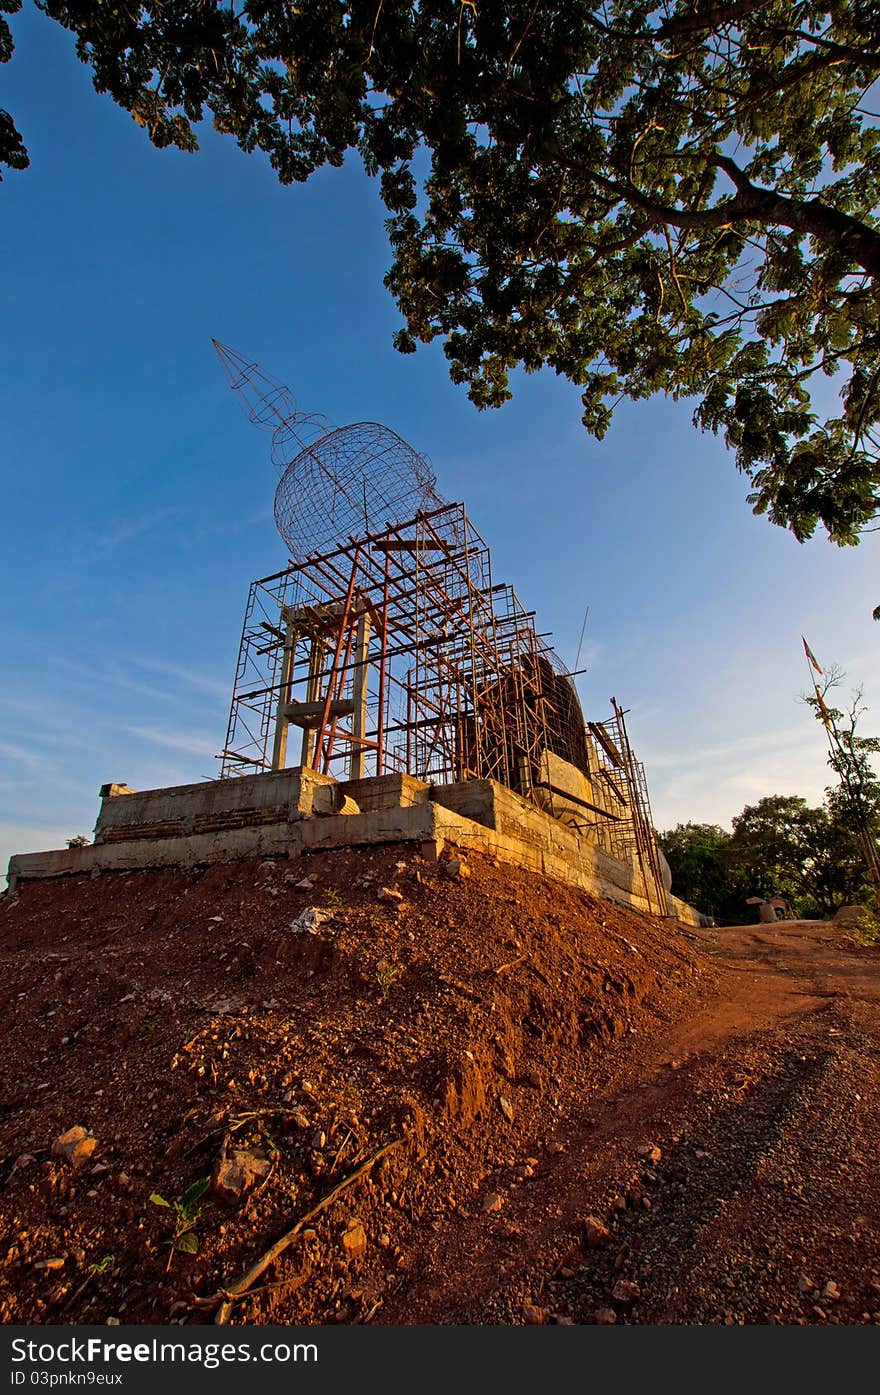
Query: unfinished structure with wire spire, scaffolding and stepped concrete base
x=390 y=688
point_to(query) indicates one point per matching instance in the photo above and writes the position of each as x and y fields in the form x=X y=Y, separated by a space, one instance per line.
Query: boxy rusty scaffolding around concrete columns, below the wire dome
x=398 y=652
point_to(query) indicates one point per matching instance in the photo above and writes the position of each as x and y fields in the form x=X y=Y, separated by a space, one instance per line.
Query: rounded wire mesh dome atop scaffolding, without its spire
x=356 y=481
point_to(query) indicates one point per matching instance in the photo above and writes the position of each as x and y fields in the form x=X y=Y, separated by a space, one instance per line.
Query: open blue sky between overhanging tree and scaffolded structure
x=137 y=500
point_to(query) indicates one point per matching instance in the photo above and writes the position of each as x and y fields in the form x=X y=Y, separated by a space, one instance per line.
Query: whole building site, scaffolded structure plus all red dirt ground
x=400 y=1020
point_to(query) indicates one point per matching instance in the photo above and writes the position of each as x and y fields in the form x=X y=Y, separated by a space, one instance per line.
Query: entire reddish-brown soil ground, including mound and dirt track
x=535 y=1057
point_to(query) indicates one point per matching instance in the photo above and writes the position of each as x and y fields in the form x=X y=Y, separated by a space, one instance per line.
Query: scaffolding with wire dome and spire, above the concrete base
x=390 y=648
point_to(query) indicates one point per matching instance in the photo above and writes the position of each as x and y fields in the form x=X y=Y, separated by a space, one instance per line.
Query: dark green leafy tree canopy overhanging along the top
x=673 y=197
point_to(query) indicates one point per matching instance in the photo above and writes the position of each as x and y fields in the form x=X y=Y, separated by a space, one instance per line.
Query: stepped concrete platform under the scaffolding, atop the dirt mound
x=292 y=813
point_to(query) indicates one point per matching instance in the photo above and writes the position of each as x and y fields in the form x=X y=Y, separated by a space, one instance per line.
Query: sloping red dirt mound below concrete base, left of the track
x=380 y=1064
